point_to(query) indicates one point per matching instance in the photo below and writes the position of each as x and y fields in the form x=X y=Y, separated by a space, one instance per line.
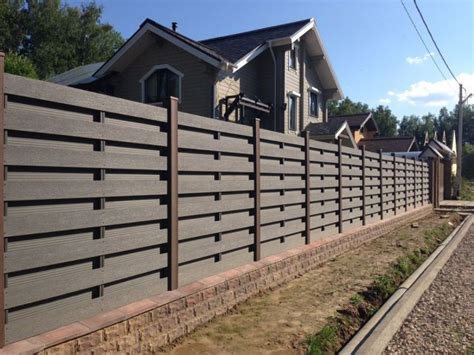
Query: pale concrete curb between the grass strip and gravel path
x=375 y=335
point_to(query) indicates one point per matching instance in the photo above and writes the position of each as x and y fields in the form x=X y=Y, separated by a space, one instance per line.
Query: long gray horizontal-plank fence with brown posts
x=108 y=201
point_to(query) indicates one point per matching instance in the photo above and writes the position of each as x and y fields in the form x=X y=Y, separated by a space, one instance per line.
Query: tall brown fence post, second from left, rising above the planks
x=173 y=193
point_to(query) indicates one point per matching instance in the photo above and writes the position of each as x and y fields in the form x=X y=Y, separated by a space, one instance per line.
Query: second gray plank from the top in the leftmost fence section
x=42 y=123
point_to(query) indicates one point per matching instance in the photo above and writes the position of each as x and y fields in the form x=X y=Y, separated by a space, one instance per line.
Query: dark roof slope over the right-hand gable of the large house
x=233 y=47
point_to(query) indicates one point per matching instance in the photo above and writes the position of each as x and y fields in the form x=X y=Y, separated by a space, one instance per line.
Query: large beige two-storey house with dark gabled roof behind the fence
x=281 y=74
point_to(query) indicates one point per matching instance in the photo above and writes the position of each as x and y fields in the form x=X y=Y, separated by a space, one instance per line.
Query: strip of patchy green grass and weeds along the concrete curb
x=363 y=305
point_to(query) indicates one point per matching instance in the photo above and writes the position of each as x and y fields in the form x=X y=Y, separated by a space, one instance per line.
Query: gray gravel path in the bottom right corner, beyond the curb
x=443 y=319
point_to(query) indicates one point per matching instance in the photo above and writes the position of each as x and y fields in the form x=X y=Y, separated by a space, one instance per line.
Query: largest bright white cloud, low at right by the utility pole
x=434 y=94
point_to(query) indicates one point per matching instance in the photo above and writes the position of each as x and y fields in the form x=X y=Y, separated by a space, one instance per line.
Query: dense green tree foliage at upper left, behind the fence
x=56 y=37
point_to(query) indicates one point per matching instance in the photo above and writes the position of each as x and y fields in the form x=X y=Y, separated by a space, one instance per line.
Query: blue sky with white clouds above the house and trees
x=374 y=49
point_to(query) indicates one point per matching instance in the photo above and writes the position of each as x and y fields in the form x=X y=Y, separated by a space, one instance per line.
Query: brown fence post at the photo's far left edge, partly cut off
x=2 y=244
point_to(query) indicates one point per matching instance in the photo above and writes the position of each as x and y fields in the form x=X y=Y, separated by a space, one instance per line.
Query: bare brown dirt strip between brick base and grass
x=277 y=322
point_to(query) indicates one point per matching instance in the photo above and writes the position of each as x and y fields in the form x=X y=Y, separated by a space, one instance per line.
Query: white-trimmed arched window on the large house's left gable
x=161 y=82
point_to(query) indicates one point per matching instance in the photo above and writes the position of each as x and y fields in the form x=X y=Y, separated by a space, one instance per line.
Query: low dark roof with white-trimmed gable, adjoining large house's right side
x=331 y=132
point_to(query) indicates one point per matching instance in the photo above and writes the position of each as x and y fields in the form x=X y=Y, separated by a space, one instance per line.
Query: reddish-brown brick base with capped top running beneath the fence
x=157 y=321
